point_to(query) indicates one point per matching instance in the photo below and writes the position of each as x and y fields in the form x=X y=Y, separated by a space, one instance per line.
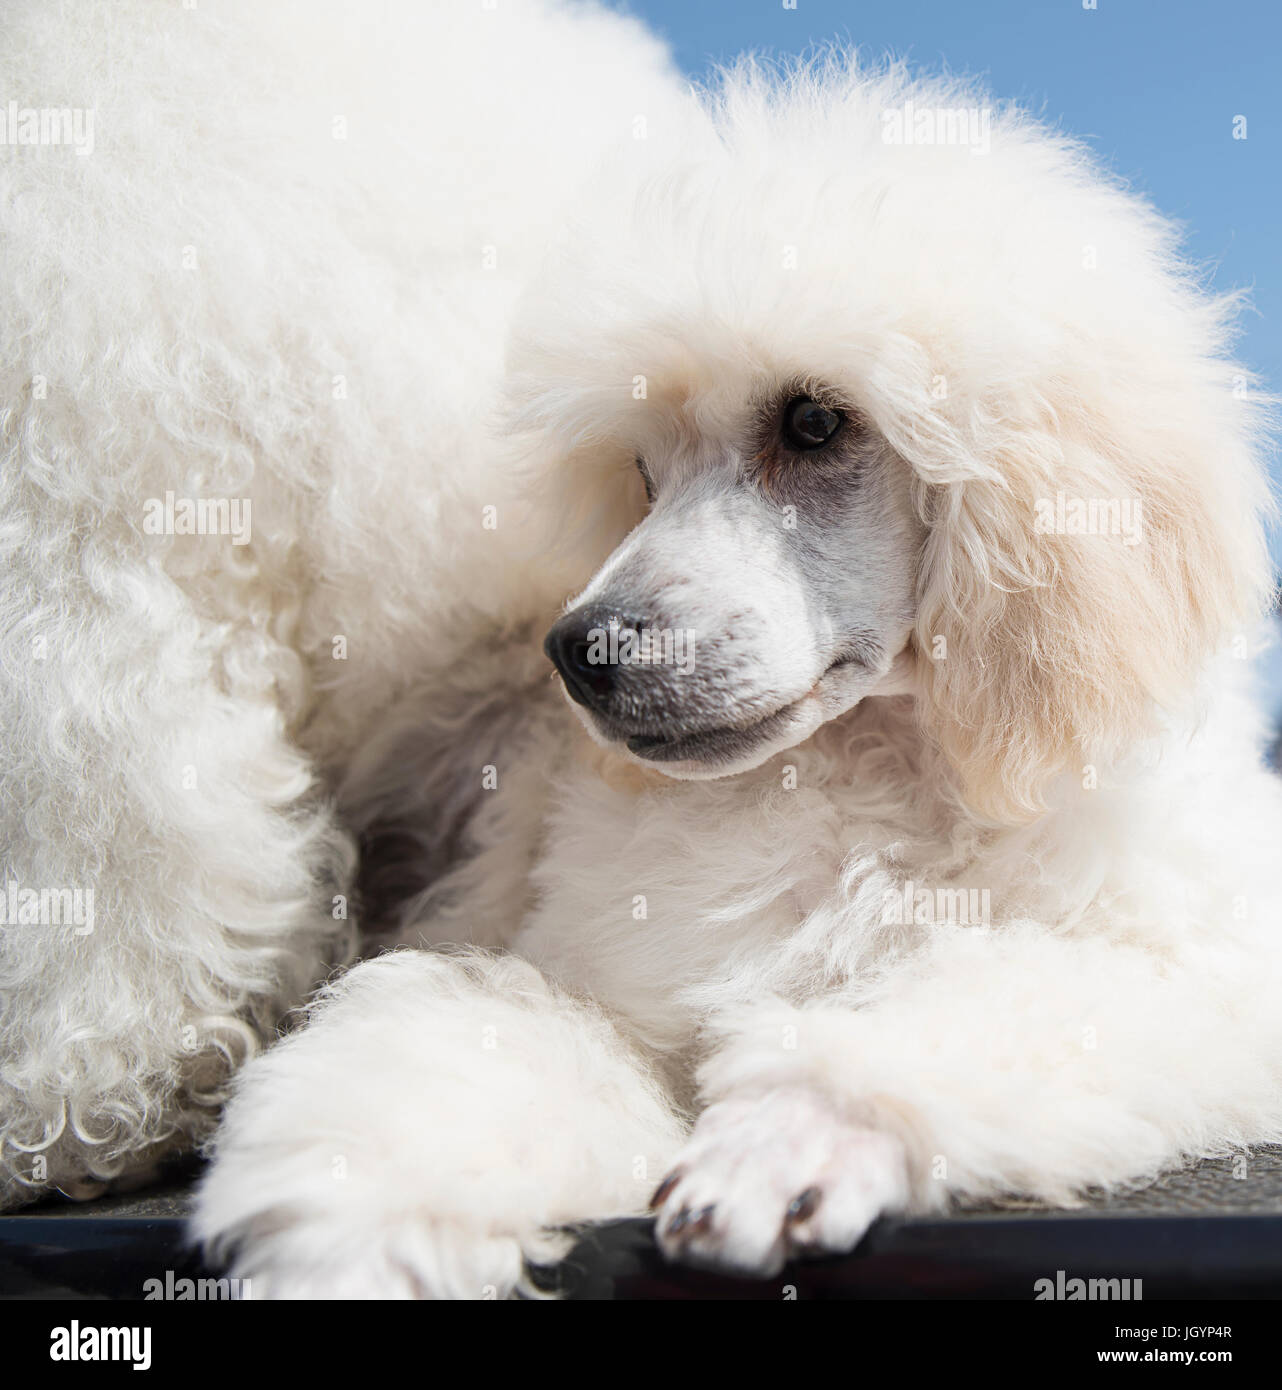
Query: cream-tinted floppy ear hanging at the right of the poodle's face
x=1060 y=648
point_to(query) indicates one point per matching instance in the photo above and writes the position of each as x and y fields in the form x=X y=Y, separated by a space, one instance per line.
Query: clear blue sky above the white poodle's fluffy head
x=1152 y=85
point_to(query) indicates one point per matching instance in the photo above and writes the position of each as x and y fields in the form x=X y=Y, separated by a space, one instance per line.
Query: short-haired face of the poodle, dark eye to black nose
x=771 y=586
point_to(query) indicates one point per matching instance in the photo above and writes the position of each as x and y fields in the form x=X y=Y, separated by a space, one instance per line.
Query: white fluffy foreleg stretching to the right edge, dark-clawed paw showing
x=998 y=1063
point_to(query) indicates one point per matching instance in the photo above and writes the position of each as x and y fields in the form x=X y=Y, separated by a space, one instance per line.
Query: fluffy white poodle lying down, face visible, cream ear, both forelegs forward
x=904 y=828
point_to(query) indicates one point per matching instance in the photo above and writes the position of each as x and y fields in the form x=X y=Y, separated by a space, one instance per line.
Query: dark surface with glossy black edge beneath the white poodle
x=1212 y=1232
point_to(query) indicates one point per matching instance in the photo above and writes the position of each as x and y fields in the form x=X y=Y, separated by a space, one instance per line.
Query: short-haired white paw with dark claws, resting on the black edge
x=768 y=1179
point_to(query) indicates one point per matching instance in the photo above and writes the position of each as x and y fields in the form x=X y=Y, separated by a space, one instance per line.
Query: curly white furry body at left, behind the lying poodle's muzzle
x=262 y=284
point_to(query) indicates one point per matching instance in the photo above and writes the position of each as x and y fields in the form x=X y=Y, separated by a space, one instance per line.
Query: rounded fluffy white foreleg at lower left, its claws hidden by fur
x=429 y=1132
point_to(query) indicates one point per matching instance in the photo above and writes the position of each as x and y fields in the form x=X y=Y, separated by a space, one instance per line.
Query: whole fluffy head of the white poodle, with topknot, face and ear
x=886 y=393
